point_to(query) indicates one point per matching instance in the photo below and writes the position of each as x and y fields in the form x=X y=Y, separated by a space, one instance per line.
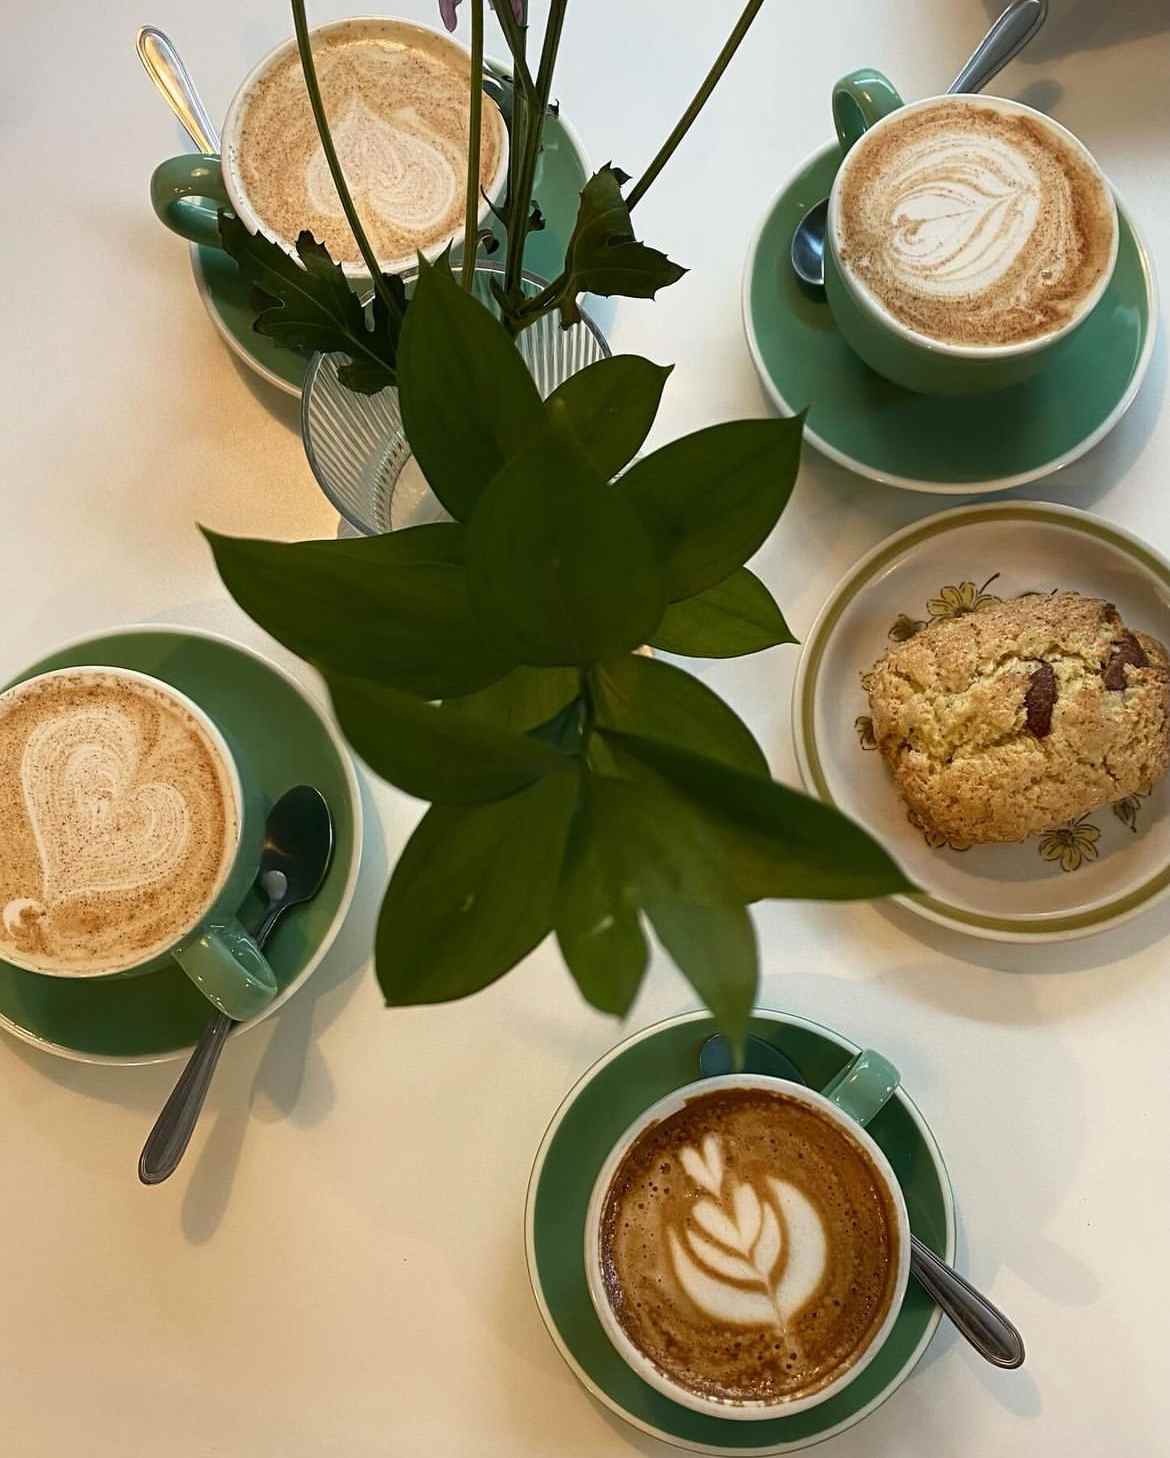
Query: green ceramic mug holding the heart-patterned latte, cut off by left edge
x=214 y=950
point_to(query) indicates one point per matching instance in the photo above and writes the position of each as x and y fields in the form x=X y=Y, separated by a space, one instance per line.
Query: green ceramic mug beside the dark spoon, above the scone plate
x=863 y=107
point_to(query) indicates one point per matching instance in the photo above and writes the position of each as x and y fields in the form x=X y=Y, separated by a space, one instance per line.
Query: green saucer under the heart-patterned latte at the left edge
x=284 y=740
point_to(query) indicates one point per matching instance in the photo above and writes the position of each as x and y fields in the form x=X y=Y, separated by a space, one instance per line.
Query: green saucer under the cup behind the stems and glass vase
x=564 y=171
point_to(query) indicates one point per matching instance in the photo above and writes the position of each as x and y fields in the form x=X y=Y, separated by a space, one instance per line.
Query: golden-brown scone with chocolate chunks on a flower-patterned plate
x=1022 y=717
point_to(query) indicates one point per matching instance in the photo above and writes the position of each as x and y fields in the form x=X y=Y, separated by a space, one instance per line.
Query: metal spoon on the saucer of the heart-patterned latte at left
x=298 y=848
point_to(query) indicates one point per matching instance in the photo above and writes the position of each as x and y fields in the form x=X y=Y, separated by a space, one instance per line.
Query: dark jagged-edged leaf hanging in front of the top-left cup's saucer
x=311 y=307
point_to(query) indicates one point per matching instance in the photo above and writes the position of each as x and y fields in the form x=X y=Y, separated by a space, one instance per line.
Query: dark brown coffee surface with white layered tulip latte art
x=749 y=1247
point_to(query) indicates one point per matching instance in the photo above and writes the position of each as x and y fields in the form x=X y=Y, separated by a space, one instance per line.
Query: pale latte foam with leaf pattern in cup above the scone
x=975 y=227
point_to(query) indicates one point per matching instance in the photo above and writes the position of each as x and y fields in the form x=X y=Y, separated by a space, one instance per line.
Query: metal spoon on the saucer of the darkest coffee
x=983 y=1325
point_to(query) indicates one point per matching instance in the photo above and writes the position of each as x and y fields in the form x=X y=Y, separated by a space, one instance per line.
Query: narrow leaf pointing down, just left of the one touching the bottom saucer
x=597 y=918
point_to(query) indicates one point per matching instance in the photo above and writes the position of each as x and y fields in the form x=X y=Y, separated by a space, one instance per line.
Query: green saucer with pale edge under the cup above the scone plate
x=961 y=445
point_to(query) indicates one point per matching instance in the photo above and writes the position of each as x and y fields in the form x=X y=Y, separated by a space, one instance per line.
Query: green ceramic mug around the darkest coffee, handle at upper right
x=851 y=1100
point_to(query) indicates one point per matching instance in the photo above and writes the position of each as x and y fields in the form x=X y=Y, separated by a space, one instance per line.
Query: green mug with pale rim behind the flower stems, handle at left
x=189 y=193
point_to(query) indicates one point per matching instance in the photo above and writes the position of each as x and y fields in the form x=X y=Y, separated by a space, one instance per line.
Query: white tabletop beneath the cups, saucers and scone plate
x=338 y=1268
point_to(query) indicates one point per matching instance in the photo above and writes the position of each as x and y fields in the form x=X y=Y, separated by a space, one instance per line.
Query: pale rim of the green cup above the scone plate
x=972 y=352
